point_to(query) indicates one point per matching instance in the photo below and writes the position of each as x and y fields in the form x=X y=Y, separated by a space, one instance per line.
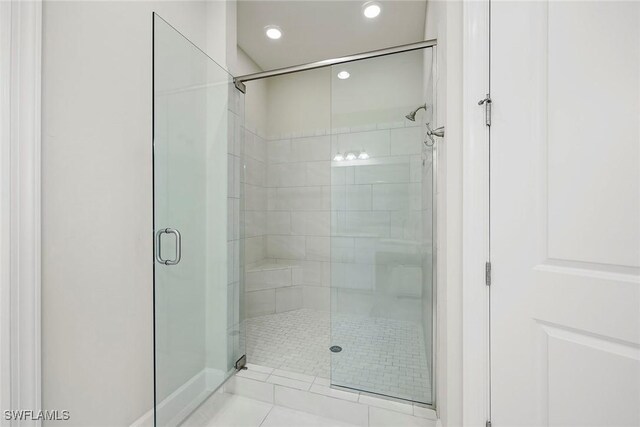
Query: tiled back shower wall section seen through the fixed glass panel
x=376 y=248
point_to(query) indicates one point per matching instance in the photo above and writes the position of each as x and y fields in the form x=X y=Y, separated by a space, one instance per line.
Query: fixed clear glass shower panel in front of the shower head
x=382 y=208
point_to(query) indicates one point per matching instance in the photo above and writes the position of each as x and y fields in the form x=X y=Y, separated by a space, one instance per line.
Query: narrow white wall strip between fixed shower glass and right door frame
x=444 y=23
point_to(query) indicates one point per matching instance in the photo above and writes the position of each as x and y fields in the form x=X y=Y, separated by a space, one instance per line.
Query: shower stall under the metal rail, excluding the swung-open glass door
x=340 y=274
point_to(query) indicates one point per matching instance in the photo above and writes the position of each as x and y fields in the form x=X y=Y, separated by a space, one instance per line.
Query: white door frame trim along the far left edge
x=20 y=268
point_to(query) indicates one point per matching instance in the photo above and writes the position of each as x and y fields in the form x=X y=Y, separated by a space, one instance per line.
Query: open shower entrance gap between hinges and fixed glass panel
x=288 y=221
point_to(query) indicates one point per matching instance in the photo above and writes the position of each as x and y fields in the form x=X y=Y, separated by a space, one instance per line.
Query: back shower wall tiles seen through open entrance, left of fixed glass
x=298 y=217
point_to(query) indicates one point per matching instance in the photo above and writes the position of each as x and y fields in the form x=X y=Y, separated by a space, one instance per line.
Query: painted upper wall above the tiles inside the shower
x=314 y=101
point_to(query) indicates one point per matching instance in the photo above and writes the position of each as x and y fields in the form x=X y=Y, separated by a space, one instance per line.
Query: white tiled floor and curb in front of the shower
x=260 y=396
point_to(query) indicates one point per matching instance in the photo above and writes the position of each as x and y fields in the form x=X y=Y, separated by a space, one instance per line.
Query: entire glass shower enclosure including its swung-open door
x=307 y=247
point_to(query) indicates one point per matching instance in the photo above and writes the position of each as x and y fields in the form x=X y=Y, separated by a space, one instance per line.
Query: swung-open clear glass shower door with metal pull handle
x=198 y=336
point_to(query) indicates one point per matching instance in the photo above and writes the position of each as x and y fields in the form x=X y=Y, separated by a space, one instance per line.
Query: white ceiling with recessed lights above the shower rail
x=315 y=30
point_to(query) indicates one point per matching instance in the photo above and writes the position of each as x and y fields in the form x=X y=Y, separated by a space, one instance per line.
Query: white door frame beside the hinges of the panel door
x=475 y=311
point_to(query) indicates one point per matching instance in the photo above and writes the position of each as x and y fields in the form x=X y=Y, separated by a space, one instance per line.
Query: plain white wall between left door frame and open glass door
x=97 y=206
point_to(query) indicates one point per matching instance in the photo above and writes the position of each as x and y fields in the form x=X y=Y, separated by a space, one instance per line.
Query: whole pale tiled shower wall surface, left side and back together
x=291 y=205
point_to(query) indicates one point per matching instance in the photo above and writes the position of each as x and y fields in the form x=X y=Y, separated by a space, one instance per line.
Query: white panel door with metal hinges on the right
x=565 y=213
